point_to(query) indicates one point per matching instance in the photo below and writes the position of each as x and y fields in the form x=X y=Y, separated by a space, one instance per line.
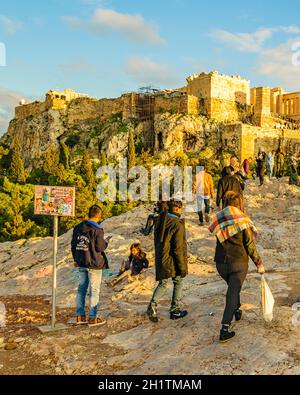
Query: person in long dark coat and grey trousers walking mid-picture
x=170 y=259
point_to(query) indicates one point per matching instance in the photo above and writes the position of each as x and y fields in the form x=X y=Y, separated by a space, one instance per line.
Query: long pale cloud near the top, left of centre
x=105 y=21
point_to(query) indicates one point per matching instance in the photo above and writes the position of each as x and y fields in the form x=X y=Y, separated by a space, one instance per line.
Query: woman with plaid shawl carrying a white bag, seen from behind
x=235 y=235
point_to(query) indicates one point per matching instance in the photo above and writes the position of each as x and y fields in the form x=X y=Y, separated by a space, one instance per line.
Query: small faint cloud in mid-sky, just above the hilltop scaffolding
x=144 y=71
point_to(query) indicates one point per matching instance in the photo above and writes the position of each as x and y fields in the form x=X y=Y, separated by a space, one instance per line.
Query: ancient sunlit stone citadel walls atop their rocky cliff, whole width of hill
x=212 y=110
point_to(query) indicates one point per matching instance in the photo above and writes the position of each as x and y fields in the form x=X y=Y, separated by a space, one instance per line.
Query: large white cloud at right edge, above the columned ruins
x=276 y=64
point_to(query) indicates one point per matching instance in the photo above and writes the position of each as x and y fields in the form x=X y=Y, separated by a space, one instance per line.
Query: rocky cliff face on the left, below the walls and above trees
x=37 y=133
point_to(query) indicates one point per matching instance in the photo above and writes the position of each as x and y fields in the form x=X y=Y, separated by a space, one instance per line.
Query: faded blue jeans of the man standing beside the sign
x=88 y=280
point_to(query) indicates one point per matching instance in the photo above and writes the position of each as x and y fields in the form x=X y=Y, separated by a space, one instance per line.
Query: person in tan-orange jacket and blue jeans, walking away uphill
x=203 y=188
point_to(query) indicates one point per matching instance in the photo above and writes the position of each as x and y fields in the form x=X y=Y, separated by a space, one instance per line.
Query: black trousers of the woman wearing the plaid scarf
x=235 y=282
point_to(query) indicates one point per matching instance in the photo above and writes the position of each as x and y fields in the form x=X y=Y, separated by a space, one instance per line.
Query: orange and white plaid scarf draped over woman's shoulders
x=229 y=222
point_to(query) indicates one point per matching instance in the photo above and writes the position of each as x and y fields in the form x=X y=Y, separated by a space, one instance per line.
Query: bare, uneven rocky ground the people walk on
x=129 y=343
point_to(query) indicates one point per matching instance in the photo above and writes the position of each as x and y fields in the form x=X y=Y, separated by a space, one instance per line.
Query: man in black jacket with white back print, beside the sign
x=88 y=246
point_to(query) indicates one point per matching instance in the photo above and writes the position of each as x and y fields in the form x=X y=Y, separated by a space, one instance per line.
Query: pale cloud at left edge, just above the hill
x=8 y=101
